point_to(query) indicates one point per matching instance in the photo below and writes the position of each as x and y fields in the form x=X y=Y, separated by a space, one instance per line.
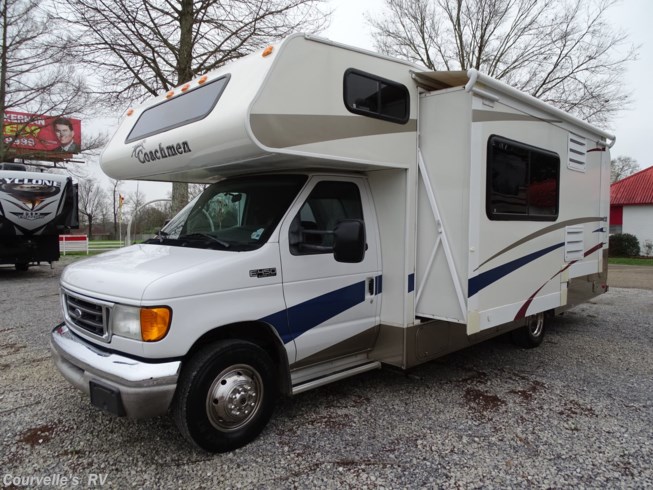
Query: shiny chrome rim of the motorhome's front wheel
x=234 y=398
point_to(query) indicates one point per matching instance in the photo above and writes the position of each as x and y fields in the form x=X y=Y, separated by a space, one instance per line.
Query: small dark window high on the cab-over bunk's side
x=372 y=96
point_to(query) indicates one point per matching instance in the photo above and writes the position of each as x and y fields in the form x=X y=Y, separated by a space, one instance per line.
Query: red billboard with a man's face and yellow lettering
x=30 y=133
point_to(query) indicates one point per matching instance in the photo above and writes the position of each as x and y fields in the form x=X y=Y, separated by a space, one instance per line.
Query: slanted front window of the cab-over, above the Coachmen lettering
x=179 y=111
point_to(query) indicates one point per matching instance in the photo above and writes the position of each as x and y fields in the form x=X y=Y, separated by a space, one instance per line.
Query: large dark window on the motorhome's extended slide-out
x=523 y=182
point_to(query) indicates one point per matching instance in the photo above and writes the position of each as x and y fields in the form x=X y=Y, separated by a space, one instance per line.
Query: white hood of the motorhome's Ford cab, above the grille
x=151 y=273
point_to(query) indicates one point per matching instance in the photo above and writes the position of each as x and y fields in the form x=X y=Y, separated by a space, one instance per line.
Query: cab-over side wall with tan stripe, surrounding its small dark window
x=300 y=109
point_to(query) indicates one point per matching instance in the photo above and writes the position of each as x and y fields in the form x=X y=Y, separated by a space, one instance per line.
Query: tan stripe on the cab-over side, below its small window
x=288 y=130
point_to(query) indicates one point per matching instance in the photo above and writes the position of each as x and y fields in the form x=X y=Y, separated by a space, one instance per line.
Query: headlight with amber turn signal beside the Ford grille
x=148 y=324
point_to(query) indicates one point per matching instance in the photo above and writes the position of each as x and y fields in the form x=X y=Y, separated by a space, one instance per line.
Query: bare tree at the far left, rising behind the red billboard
x=36 y=76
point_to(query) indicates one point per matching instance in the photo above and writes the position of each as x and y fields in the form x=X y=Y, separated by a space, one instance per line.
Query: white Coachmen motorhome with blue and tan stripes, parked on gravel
x=363 y=212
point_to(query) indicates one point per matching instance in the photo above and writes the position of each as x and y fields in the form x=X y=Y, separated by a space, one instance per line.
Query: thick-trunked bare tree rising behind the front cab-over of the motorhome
x=140 y=48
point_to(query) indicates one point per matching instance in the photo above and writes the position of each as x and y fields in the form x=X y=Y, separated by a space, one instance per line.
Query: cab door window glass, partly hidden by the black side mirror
x=311 y=231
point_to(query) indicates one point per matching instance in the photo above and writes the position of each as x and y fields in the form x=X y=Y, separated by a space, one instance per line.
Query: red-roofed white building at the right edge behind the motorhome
x=631 y=206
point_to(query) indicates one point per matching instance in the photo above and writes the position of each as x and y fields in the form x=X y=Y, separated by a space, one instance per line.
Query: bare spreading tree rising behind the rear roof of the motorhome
x=560 y=51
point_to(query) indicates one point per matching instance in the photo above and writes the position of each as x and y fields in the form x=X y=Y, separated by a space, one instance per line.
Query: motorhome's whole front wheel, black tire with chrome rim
x=228 y=370
